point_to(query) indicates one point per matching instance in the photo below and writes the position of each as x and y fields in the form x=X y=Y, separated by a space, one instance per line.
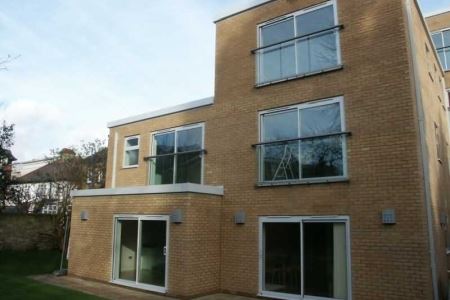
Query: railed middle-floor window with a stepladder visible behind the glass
x=303 y=143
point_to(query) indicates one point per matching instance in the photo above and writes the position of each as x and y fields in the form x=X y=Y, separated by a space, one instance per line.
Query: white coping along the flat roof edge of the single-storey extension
x=152 y=189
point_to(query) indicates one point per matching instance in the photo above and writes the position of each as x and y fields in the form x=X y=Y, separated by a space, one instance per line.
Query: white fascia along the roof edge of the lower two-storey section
x=163 y=112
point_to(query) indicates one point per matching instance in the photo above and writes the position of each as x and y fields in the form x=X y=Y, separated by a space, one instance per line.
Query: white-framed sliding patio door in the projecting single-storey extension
x=140 y=252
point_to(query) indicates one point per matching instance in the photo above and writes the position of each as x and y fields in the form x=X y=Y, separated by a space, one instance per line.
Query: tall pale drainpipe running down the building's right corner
x=423 y=149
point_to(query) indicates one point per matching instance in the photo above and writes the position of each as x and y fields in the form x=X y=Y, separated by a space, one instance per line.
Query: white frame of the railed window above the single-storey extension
x=175 y=130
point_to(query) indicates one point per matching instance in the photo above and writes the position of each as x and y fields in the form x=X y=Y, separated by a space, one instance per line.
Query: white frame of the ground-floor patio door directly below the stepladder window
x=301 y=220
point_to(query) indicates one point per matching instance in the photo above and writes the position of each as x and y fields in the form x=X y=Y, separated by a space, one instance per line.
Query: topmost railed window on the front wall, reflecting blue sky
x=297 y=44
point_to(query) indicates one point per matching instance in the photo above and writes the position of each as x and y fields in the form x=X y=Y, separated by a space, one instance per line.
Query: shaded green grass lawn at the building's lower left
x=15 y=266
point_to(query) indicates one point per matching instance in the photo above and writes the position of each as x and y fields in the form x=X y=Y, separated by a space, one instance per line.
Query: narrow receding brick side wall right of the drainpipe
x=435 y=113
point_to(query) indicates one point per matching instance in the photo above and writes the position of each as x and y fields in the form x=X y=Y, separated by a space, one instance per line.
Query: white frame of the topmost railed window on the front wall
x=294 y=15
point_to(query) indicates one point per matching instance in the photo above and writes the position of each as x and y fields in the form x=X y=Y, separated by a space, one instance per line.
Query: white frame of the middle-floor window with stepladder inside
x=299 y=107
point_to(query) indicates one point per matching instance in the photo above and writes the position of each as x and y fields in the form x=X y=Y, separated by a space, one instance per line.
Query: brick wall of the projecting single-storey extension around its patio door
x=194 y=245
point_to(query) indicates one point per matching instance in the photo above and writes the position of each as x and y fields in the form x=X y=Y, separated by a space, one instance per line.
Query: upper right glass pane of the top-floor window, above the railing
x=315 y=20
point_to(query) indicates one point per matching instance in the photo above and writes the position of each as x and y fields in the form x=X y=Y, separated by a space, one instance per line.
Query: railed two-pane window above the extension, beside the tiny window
x=177 y=155
